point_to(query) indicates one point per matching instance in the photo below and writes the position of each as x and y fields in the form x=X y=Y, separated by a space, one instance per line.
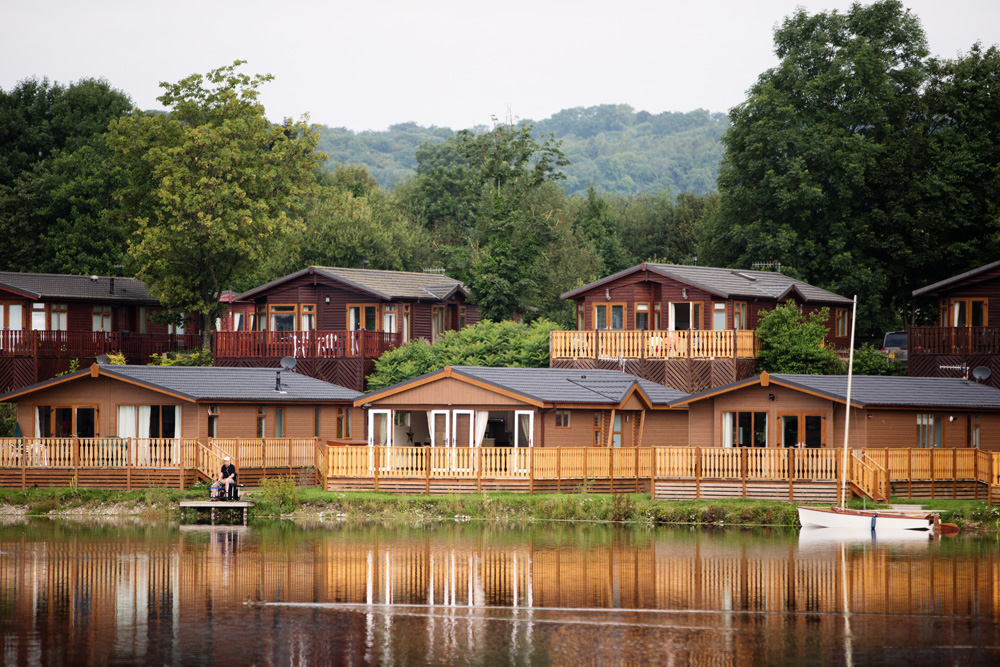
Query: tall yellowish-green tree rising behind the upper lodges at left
x=213 y=187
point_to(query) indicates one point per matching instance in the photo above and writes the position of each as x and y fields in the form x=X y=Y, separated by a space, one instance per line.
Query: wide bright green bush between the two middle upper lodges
x=496 y=344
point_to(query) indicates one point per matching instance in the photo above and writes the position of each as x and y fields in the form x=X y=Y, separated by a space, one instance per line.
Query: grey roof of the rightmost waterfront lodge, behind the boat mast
x=869 y=391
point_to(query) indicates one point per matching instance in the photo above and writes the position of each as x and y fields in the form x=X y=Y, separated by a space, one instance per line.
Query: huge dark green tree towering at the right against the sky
x=841 y=166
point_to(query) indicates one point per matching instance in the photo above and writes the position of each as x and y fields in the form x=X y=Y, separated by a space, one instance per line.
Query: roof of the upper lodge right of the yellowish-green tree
x=386 y=285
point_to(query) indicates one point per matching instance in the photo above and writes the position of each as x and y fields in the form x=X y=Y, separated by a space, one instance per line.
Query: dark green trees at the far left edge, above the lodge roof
x=57 y=178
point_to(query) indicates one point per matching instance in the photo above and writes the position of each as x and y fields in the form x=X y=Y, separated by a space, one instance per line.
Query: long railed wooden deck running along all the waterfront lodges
x=794 y=475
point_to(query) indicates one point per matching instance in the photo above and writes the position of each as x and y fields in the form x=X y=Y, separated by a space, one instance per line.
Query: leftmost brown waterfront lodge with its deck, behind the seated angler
x=137 y=426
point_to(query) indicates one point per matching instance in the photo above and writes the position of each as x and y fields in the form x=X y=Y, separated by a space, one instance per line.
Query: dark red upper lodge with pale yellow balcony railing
x=687 y=327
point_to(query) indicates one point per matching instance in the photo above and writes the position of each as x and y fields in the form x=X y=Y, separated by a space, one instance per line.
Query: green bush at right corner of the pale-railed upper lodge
x=792 y=343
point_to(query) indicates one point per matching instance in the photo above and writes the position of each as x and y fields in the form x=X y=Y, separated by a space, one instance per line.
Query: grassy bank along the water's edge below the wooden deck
x=283 y=499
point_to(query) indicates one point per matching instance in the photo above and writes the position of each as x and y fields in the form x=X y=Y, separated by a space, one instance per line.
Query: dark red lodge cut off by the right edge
x=968 y=332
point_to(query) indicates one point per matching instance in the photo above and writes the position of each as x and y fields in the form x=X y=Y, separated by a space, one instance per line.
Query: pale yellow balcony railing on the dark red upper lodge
x=698 y=344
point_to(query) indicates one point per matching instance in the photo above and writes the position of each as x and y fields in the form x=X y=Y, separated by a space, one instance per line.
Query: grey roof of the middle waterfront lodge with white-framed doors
x=557 y=385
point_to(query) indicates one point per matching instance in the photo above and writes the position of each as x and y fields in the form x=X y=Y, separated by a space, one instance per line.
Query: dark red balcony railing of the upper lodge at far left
x=84 y=344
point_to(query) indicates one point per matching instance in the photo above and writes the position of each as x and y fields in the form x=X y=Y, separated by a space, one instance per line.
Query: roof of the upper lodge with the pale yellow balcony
x=728 y=283
